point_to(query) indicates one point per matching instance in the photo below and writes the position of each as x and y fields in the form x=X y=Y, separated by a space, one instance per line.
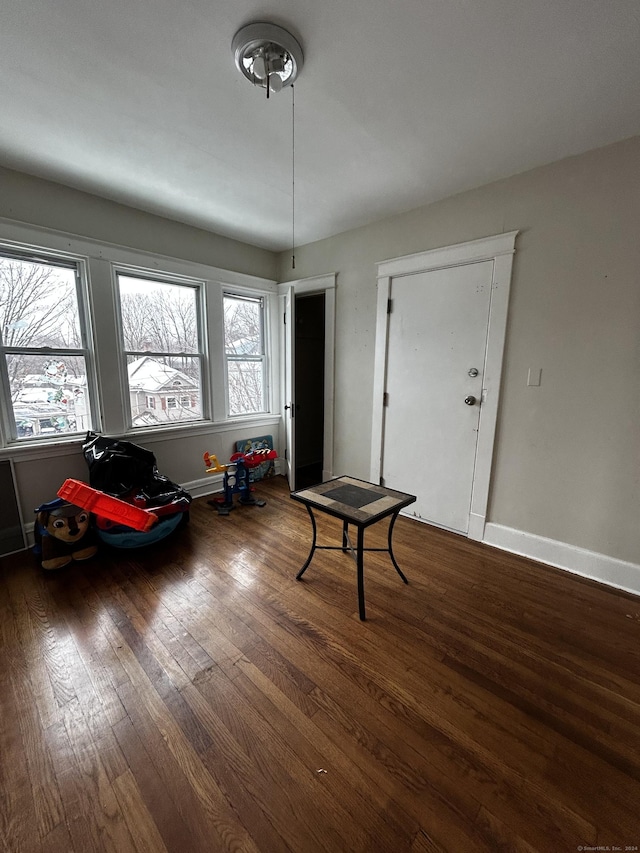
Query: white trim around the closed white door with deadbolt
x=499 y=249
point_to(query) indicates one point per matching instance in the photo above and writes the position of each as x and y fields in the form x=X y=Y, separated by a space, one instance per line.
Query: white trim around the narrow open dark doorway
x=320 y=284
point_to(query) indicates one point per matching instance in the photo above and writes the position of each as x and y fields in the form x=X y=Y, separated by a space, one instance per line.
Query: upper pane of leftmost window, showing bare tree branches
x=38 y=305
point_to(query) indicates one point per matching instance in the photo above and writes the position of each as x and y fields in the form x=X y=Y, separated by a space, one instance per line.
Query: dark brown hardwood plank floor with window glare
x=194 y=697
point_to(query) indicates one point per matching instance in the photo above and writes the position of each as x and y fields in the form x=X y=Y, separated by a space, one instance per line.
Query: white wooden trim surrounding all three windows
x=100 y=259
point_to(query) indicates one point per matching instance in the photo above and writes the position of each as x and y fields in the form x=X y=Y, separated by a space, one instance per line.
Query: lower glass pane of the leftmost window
x=48 y=395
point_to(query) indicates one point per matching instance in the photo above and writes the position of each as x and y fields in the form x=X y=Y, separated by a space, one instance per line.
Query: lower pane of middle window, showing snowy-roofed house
x=164 y=391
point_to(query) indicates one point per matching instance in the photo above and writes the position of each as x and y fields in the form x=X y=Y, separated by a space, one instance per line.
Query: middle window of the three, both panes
x=161 y=340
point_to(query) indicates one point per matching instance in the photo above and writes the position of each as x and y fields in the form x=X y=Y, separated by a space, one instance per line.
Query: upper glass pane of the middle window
x=158 y=317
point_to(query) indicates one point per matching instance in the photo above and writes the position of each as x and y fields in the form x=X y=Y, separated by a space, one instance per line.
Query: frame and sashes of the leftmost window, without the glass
x=79 y=265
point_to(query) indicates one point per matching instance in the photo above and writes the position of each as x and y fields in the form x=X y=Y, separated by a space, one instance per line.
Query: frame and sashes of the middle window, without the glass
x=201 y=353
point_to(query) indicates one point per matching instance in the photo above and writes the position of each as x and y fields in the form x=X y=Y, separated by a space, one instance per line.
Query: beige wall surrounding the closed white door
x=567 y=459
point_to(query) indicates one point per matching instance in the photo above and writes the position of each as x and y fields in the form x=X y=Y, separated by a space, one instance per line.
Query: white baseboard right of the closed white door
x=579 y=561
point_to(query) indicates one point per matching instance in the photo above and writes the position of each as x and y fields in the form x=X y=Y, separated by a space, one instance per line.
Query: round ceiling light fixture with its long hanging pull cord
x=270 y=57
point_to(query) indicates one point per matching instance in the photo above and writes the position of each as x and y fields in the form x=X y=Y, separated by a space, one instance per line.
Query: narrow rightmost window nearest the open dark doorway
x=245 y=354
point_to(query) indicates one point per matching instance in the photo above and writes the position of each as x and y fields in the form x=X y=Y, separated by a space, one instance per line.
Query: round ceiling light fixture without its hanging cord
x=262 y=50
